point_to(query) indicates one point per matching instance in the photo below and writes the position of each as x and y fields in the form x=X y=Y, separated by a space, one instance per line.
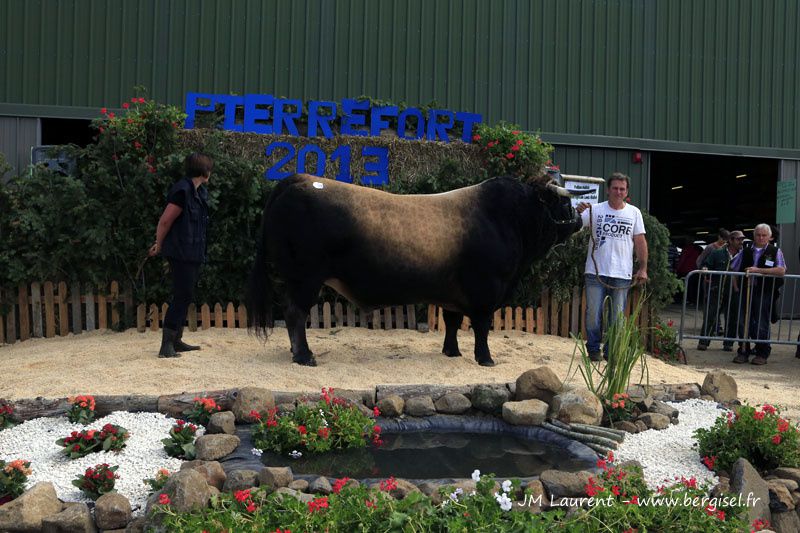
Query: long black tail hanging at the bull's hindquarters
x=260 y=293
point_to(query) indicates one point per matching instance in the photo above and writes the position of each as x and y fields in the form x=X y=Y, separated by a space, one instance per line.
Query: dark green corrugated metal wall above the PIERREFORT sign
x=718 y=72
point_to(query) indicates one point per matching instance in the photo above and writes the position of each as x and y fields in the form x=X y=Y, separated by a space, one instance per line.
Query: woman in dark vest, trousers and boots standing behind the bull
x=181 y=239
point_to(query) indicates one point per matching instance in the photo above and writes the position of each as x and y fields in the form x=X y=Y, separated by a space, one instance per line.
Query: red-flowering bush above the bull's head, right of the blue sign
x=509 y=151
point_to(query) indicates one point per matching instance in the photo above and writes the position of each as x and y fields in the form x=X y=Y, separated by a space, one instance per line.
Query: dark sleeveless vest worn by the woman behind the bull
x=186 y=239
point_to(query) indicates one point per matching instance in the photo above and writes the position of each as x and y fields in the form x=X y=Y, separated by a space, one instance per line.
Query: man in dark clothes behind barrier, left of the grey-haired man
x=719 y=299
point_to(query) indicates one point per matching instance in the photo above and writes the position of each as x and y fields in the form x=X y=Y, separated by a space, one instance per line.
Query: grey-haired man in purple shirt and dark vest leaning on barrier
x=766 y=259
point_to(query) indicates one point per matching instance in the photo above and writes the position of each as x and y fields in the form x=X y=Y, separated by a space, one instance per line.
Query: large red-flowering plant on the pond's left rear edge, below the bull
x=331 y=423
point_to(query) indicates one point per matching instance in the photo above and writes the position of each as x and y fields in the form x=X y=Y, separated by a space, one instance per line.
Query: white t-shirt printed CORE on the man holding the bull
x=612 y=239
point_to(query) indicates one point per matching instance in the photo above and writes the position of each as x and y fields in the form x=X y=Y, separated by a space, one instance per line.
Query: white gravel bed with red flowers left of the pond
x=35 y=441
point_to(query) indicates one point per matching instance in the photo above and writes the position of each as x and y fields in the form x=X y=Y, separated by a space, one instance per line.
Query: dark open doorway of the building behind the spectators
x=695 y=195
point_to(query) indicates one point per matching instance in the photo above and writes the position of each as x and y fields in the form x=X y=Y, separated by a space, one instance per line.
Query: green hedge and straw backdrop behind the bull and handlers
x=96 y=226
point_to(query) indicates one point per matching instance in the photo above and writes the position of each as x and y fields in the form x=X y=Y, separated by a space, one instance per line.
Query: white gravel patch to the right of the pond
x=672 y=452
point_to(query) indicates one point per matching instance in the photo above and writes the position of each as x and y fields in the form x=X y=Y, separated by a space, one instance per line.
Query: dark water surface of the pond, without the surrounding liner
x=439 y=453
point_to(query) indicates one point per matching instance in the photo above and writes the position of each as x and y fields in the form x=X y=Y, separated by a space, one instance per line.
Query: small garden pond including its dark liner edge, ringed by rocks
x=436 y=447
